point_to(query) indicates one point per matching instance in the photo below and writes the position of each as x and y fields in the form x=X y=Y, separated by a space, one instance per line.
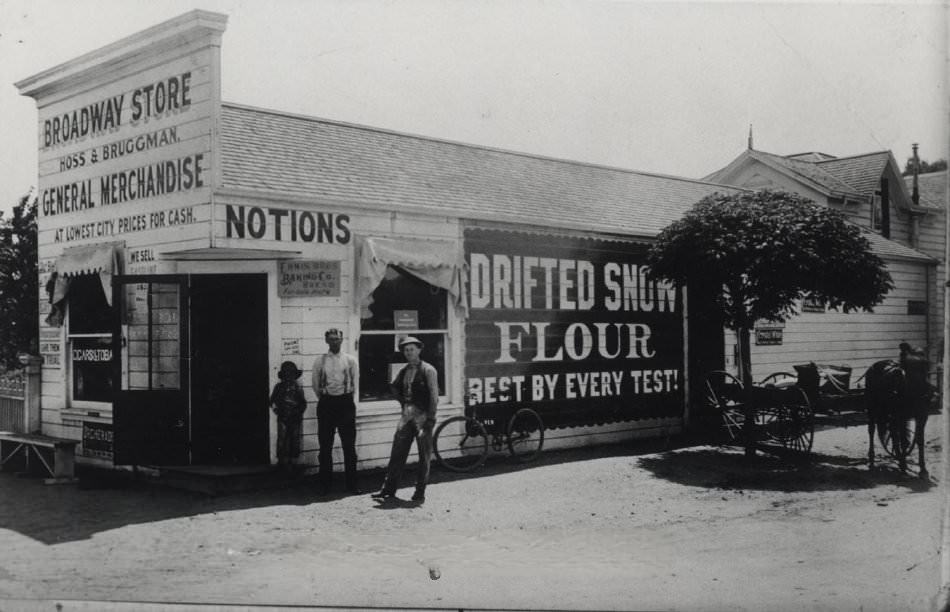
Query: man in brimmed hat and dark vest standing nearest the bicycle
x=417 y=388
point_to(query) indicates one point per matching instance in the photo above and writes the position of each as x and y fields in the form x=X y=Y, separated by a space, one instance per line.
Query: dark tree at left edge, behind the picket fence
x=19 y=290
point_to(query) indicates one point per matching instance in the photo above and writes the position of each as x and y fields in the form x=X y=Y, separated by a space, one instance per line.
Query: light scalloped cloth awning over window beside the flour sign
x=438 y=262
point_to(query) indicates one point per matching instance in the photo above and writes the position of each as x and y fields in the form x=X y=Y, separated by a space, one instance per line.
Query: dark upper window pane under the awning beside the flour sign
x=401 y=291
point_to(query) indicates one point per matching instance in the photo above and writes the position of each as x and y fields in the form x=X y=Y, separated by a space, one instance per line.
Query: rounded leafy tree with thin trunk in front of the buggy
x=768 y=250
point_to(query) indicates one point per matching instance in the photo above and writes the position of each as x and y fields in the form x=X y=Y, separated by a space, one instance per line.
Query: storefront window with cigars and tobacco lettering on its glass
x=89 y=339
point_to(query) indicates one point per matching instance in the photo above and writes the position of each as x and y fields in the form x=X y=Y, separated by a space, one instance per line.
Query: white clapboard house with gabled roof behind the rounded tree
x=907 y=232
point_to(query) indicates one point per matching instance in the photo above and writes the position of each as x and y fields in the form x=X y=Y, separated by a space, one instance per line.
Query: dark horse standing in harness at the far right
x=894 y=395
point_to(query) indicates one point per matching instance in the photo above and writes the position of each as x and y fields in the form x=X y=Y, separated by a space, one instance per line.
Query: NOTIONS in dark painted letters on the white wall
x=286 y=225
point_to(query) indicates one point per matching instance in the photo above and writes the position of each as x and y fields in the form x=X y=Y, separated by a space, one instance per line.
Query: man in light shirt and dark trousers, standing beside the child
x=334 y=381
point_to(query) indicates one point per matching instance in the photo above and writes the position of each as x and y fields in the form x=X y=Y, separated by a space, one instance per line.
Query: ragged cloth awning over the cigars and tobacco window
x=101 y=259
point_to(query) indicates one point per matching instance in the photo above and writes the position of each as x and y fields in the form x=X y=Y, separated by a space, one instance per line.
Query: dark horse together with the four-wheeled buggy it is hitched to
x=896 y=397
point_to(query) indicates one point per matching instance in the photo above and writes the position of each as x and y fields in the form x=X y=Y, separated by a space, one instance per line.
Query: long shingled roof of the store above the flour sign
x=280 y=153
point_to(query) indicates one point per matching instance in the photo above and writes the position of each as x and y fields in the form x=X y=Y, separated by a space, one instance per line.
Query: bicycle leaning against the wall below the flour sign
x=461 y=443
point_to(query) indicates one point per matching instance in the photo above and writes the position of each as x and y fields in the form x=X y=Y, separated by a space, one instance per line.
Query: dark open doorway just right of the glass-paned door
x=229 y=369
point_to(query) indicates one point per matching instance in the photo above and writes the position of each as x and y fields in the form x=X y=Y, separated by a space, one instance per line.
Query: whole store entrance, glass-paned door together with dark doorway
x=191 y=370
